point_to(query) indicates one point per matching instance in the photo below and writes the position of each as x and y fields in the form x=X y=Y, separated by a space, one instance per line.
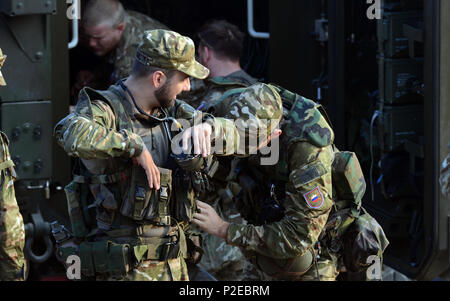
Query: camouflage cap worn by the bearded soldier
x=170 y=50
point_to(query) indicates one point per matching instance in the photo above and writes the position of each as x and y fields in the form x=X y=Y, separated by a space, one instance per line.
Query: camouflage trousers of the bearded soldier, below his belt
x=148 y=270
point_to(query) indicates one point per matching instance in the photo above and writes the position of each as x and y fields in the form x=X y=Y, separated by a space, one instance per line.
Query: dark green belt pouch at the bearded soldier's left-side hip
x=105 y=257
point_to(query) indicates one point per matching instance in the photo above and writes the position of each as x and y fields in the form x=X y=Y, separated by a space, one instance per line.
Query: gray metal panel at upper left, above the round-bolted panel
x=28 y=71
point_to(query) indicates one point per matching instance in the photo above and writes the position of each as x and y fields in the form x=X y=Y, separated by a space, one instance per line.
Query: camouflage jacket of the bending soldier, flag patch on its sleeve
x=302 y=183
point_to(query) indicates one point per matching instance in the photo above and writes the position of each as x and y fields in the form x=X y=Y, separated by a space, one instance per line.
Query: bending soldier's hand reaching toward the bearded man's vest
x=210 y=221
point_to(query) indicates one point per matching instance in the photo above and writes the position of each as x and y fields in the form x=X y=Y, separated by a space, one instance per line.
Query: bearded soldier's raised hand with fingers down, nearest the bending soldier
x=201 y=137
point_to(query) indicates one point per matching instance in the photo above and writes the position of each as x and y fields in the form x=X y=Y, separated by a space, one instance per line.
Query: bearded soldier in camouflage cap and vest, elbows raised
x=140 y=232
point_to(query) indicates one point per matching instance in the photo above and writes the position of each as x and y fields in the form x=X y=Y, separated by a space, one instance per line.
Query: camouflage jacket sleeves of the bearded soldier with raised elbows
x=89 y=133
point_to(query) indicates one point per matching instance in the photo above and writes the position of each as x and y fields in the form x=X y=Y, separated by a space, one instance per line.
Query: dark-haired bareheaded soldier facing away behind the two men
x=220 y=47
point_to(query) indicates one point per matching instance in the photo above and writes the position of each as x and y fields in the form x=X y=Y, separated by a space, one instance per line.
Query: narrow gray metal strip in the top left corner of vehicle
x=27 y=7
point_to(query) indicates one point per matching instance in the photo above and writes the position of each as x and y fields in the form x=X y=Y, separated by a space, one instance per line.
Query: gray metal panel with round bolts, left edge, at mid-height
x=29 y=128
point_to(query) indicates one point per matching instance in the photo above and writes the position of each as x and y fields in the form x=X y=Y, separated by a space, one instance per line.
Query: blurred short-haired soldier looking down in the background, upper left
x=113 y=33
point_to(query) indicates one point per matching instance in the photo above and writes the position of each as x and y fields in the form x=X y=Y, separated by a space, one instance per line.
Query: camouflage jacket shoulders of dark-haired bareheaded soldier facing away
x=204 y=93
